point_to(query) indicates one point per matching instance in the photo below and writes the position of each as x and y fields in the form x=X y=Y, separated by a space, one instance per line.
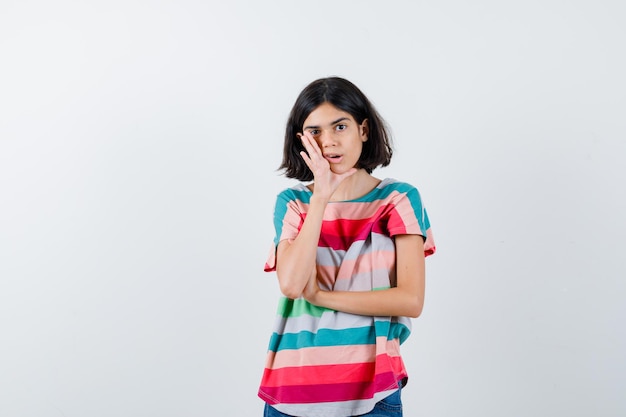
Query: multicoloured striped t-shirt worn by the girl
x=326 y=363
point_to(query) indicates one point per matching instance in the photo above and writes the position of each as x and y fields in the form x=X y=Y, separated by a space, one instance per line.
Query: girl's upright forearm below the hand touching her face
x=296 y=259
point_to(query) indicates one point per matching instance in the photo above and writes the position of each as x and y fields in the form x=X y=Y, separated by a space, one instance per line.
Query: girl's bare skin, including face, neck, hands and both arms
x=329 y=132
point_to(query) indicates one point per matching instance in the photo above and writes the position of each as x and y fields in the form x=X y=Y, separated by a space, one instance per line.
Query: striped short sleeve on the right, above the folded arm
x=409 y=217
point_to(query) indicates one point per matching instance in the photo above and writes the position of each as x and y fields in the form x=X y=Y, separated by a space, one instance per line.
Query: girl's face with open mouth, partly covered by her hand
x=339 y=137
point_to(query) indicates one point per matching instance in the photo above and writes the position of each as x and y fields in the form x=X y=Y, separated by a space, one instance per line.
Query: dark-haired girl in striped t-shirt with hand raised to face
x=349 y=256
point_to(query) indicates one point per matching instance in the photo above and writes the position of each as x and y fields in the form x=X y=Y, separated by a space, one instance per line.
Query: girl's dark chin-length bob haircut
x=344 y=95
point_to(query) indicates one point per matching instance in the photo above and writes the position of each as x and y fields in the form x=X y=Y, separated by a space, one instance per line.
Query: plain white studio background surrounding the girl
x=139 y=142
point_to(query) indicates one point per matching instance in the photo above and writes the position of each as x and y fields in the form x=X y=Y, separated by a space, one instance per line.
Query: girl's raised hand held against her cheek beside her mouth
x=326 y=181
